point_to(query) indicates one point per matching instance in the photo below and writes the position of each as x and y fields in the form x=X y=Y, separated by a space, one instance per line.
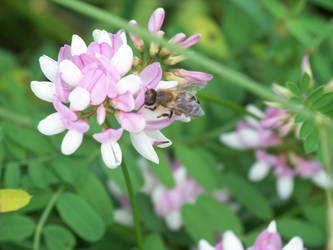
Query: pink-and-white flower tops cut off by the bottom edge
x=267 y=239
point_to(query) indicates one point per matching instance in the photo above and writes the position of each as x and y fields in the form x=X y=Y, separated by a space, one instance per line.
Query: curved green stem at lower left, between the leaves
x=43 y=218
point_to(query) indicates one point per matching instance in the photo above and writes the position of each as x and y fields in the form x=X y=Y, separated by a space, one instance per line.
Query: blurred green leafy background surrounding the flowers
x=265 y=39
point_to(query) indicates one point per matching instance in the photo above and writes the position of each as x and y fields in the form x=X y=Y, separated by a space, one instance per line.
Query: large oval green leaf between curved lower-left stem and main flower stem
x=92 y=190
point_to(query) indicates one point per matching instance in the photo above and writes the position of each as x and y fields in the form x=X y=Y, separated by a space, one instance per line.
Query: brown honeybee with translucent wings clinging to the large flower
x=177 y=100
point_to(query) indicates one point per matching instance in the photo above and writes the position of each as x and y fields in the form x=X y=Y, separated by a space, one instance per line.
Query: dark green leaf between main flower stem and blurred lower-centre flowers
x=147 y=213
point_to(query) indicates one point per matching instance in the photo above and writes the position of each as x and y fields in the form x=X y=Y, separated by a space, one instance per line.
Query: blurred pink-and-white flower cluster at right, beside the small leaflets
x=274 y=138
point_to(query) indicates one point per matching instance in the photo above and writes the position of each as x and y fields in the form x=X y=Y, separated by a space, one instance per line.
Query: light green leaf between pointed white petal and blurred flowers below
x=163 y=171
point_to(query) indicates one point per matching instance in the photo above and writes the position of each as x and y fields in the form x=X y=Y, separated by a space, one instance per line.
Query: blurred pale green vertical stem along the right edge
x=325 y=143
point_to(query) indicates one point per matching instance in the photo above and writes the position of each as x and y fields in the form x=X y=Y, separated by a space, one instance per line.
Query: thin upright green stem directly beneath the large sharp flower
x=133 y=205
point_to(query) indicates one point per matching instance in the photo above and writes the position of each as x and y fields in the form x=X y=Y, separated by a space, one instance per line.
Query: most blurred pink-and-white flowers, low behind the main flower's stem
x=167 y=203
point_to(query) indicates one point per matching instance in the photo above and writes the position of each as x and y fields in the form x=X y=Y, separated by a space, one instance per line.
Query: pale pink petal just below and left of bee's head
x=133 y=122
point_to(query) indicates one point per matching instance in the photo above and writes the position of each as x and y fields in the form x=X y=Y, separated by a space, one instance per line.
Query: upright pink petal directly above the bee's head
x=151 y=75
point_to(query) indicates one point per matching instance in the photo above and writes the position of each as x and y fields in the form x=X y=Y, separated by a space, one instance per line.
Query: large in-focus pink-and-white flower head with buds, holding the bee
x=104 y=79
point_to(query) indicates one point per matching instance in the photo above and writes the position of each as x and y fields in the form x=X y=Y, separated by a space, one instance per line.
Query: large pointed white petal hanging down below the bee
x=143 y=144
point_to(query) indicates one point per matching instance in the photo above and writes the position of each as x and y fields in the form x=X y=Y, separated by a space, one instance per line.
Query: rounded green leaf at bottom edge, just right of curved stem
x=58 y=238
